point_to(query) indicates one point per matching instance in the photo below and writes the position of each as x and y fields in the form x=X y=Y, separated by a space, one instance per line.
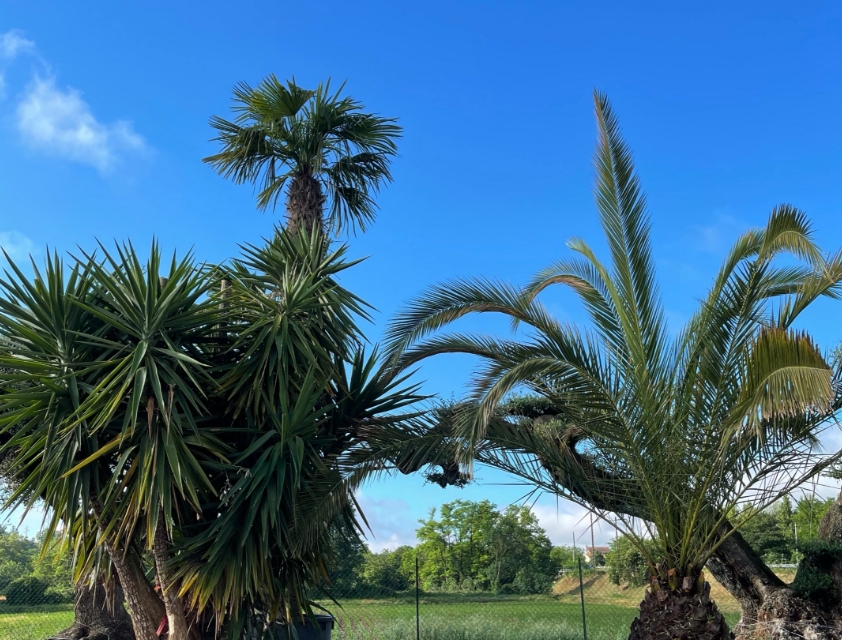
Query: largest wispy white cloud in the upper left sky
x=60 y=123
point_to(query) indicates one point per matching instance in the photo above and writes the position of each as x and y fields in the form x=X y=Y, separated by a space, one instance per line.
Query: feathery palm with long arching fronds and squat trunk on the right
x=669 y=434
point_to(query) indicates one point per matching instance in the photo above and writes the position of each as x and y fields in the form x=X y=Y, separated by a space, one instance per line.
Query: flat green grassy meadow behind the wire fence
x=609 y=611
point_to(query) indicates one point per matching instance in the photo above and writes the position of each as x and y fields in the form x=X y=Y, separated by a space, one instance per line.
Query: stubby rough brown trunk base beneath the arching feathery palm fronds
x=674 y=615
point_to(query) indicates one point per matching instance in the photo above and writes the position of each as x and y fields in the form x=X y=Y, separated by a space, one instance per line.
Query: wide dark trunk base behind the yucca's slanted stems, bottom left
x=98 y=615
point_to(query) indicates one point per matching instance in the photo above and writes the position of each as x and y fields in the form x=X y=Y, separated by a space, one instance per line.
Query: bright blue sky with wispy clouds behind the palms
x=730 y=108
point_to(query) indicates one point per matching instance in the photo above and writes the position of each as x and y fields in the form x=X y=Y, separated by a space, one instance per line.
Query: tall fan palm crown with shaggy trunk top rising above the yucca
x=328 y=153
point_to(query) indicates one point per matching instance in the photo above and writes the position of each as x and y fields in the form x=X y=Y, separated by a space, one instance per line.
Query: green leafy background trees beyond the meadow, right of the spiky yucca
x=474 y=546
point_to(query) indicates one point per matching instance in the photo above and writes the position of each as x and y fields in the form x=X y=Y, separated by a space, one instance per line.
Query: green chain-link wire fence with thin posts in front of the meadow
x=583 y=602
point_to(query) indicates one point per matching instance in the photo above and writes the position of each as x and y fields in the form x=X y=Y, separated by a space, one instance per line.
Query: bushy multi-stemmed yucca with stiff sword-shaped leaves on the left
x=198 y=419
